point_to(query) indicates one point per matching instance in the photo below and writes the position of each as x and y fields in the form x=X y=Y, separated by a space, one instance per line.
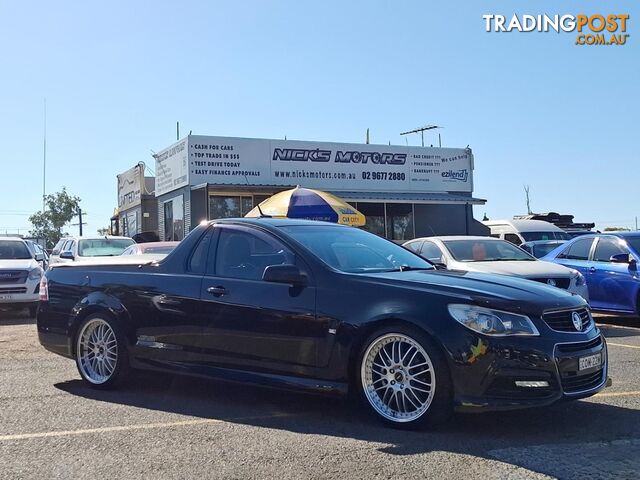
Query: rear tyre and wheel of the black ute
x=101 y=353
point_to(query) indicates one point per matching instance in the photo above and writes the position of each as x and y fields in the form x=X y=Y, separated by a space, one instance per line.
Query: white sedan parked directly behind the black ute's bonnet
x=492 y=255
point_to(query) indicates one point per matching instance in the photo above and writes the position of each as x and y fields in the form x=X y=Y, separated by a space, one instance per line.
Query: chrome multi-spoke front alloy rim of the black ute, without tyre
x=398 y=377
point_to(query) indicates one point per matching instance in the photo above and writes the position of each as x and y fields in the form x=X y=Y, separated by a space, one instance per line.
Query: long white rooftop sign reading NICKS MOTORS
x=321 y=165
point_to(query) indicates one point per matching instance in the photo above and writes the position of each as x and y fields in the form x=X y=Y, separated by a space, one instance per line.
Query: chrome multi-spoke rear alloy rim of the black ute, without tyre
x=97 y=351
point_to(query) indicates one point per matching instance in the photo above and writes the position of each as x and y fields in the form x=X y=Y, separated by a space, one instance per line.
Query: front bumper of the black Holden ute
x=547 y=370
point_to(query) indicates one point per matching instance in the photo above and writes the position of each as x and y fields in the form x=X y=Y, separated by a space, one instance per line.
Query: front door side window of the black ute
x=245 y=253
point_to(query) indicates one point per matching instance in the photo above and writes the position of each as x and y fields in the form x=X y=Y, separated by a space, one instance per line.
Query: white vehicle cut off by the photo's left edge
x=20 y=275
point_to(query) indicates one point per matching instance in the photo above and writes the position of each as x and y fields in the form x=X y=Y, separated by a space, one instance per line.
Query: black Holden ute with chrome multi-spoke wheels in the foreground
x=327 y=309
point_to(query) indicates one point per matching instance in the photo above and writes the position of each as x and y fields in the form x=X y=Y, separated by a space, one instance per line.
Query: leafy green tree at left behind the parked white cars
x=60 y=209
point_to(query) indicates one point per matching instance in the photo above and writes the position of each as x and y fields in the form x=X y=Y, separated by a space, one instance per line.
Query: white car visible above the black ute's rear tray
x=83 y=248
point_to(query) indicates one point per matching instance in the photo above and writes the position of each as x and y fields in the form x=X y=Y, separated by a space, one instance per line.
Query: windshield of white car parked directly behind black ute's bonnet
x=479 y=250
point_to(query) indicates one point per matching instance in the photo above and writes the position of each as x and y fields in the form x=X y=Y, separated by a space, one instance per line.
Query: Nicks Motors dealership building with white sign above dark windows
x=404 y=192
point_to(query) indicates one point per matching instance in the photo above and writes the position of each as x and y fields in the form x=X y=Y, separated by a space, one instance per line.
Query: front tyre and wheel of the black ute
x=403 y=378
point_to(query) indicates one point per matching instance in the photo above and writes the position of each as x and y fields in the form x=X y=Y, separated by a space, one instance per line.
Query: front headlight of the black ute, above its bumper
x=492 y=322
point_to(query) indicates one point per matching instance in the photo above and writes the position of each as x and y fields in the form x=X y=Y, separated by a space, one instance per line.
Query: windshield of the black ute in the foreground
x=355 y=251
